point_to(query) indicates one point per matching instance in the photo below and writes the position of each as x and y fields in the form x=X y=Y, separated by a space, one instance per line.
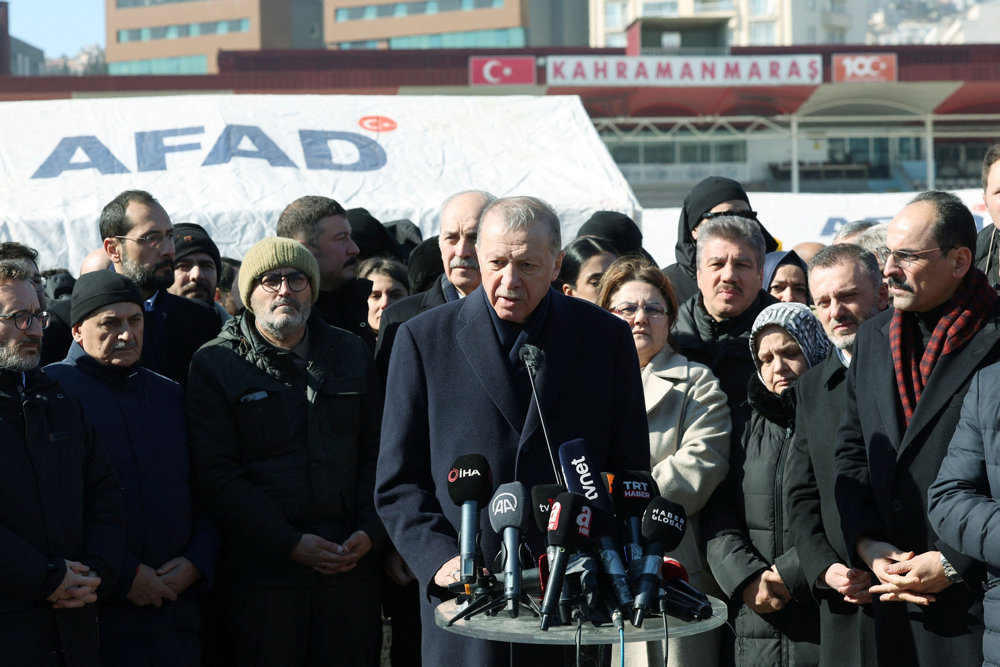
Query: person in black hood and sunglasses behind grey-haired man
x=714 y=195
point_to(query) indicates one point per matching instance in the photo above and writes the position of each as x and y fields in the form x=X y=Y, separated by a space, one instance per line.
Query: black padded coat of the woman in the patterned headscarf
x=746 y=531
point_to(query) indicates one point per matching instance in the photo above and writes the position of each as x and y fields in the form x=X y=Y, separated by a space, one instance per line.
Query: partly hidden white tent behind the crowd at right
x=795 y=218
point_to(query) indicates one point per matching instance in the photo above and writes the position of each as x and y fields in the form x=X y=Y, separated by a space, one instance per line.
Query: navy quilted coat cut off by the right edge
x=963 y=500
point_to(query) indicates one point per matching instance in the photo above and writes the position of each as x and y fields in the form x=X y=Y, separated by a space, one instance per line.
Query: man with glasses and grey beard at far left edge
x=61 y=515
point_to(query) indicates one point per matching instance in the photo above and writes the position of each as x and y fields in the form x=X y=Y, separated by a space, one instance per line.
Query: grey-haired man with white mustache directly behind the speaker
x=457 y=240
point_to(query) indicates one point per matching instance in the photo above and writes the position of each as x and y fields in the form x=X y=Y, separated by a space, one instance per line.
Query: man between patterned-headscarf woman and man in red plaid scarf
x=847 y=288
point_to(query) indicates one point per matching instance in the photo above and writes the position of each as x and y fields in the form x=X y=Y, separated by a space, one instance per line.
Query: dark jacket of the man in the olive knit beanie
x=280 y=451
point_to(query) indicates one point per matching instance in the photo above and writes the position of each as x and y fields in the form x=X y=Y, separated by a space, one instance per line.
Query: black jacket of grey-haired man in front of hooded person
x=724 y=347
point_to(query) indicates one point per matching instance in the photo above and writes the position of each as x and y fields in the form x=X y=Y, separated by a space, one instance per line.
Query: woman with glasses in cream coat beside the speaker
x=688 y=432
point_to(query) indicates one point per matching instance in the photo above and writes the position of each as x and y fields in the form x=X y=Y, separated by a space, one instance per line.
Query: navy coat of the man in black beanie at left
x=138 y=417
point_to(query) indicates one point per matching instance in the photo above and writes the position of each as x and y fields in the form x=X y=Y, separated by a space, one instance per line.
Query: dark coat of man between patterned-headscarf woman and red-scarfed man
x=847 y=630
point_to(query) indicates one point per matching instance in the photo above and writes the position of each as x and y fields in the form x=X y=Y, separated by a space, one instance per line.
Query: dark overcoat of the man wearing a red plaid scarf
x=884 y=470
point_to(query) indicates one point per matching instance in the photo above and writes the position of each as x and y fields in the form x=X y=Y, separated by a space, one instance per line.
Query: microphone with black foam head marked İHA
x=470 y=485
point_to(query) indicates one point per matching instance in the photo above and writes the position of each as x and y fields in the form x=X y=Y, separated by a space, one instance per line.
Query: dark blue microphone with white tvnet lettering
x=582 y=476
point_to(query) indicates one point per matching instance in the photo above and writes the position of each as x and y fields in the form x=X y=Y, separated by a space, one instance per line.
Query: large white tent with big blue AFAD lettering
x=232 y=162
